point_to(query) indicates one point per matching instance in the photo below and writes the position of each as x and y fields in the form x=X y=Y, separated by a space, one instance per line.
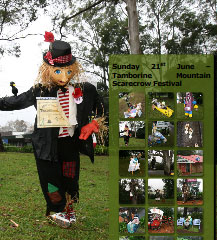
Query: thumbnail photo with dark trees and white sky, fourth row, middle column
x=160 y=191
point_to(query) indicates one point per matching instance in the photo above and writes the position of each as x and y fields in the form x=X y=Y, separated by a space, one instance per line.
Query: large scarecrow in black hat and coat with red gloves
x=57 y=149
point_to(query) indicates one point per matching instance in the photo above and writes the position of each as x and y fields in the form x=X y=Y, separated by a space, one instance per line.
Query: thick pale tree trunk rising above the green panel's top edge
x=133 y=27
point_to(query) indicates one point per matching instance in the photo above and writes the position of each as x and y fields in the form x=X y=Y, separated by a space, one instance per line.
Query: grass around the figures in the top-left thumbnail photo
x=135 y=98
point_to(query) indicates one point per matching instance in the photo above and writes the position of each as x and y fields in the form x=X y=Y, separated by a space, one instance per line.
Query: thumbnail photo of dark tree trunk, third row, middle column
x=160 y=163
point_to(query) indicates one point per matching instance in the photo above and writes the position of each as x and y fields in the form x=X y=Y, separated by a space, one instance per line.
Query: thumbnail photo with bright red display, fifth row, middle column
x=161 y=220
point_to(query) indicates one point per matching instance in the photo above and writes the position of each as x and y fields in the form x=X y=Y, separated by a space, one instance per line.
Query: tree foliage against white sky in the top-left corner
x=15 y=17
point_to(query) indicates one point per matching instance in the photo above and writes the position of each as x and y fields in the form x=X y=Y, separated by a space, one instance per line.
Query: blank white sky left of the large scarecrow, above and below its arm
x=23 y=70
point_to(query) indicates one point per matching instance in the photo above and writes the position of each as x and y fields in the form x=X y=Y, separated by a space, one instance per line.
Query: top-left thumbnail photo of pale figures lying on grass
x=131 y=105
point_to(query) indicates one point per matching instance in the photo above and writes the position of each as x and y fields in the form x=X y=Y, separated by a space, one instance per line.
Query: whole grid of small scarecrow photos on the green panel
x=161 y=165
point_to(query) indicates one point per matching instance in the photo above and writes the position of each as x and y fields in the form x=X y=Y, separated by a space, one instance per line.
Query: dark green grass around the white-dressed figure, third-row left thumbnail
x=124 y=165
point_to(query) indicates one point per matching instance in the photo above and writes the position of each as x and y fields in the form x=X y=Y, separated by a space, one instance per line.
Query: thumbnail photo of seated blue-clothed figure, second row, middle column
x=160 y=133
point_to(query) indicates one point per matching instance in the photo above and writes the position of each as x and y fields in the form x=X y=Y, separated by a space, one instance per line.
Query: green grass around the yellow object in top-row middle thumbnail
x=155 y=114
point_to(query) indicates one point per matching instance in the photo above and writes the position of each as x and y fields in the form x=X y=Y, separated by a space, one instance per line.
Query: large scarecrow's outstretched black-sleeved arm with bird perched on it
x=22 y=101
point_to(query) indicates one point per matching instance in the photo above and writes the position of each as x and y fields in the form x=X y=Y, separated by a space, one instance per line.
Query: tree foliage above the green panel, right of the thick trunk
x=174 y=28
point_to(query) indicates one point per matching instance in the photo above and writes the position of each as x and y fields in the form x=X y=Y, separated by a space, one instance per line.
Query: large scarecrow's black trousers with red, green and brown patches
x=59 y=178
